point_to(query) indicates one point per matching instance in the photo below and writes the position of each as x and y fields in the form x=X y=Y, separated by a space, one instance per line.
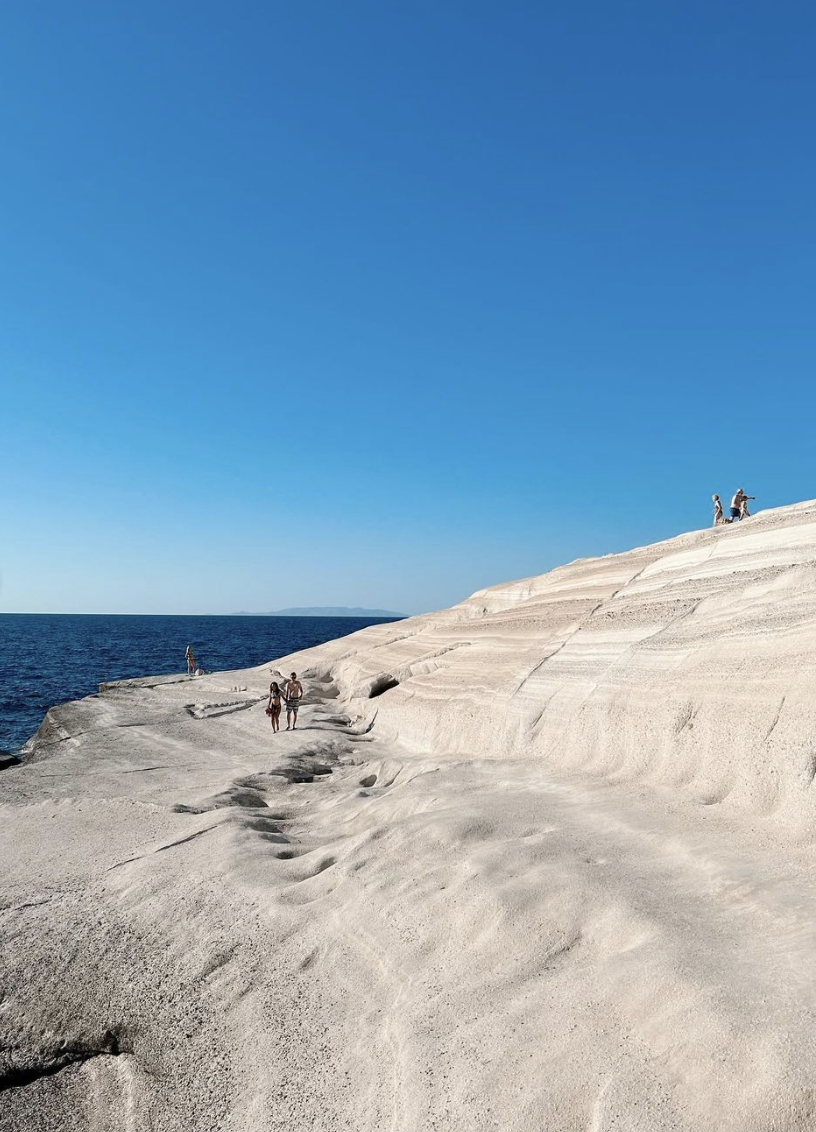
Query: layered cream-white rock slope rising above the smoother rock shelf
x=688 y=663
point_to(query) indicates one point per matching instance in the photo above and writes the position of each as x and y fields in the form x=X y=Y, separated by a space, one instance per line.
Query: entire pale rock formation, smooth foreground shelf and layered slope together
x=545 y=861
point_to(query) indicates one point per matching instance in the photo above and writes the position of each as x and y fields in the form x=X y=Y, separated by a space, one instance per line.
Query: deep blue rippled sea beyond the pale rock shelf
x=47 y=659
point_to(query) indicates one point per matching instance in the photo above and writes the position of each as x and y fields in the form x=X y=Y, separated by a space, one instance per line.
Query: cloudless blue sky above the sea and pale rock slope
x=380 y=303
